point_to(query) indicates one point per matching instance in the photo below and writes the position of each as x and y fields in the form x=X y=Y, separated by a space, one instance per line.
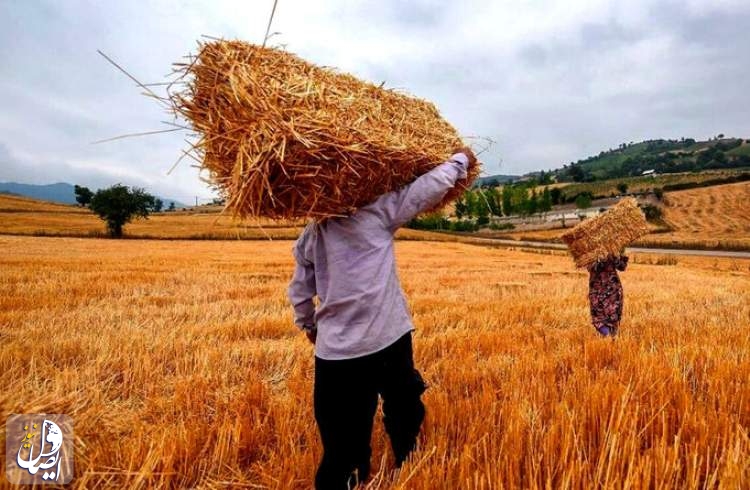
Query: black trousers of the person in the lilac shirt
x=346 y=397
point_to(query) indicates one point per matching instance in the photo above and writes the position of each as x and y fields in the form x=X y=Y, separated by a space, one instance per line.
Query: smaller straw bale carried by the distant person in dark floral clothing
x=607 y=234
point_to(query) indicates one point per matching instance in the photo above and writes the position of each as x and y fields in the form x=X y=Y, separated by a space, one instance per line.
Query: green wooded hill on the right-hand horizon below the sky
x=661 y=156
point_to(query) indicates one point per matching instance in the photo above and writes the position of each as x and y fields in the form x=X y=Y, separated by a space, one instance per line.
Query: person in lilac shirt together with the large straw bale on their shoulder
x=284 y=139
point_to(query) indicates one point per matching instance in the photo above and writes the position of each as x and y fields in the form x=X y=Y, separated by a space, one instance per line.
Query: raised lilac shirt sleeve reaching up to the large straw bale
x=398 y=207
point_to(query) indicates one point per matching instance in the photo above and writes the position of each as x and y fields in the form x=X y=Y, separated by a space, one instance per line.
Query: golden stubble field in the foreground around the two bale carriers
x=180 y=366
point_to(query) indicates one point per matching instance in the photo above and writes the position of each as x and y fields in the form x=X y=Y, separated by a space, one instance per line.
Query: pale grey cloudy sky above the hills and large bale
x=548 y=81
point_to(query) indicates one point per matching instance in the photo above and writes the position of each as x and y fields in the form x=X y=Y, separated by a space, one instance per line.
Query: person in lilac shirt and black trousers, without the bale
x=362 y=326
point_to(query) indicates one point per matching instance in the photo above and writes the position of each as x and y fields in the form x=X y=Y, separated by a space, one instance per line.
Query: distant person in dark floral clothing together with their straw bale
x=598 y=245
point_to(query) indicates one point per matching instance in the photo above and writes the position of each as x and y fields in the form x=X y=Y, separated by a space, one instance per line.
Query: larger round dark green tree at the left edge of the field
x=119 y=204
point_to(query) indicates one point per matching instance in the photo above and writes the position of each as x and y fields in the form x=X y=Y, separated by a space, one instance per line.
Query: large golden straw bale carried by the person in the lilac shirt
x=283 y=139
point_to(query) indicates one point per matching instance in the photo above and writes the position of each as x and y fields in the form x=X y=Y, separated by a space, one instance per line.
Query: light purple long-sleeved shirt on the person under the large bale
x=350 y=265
